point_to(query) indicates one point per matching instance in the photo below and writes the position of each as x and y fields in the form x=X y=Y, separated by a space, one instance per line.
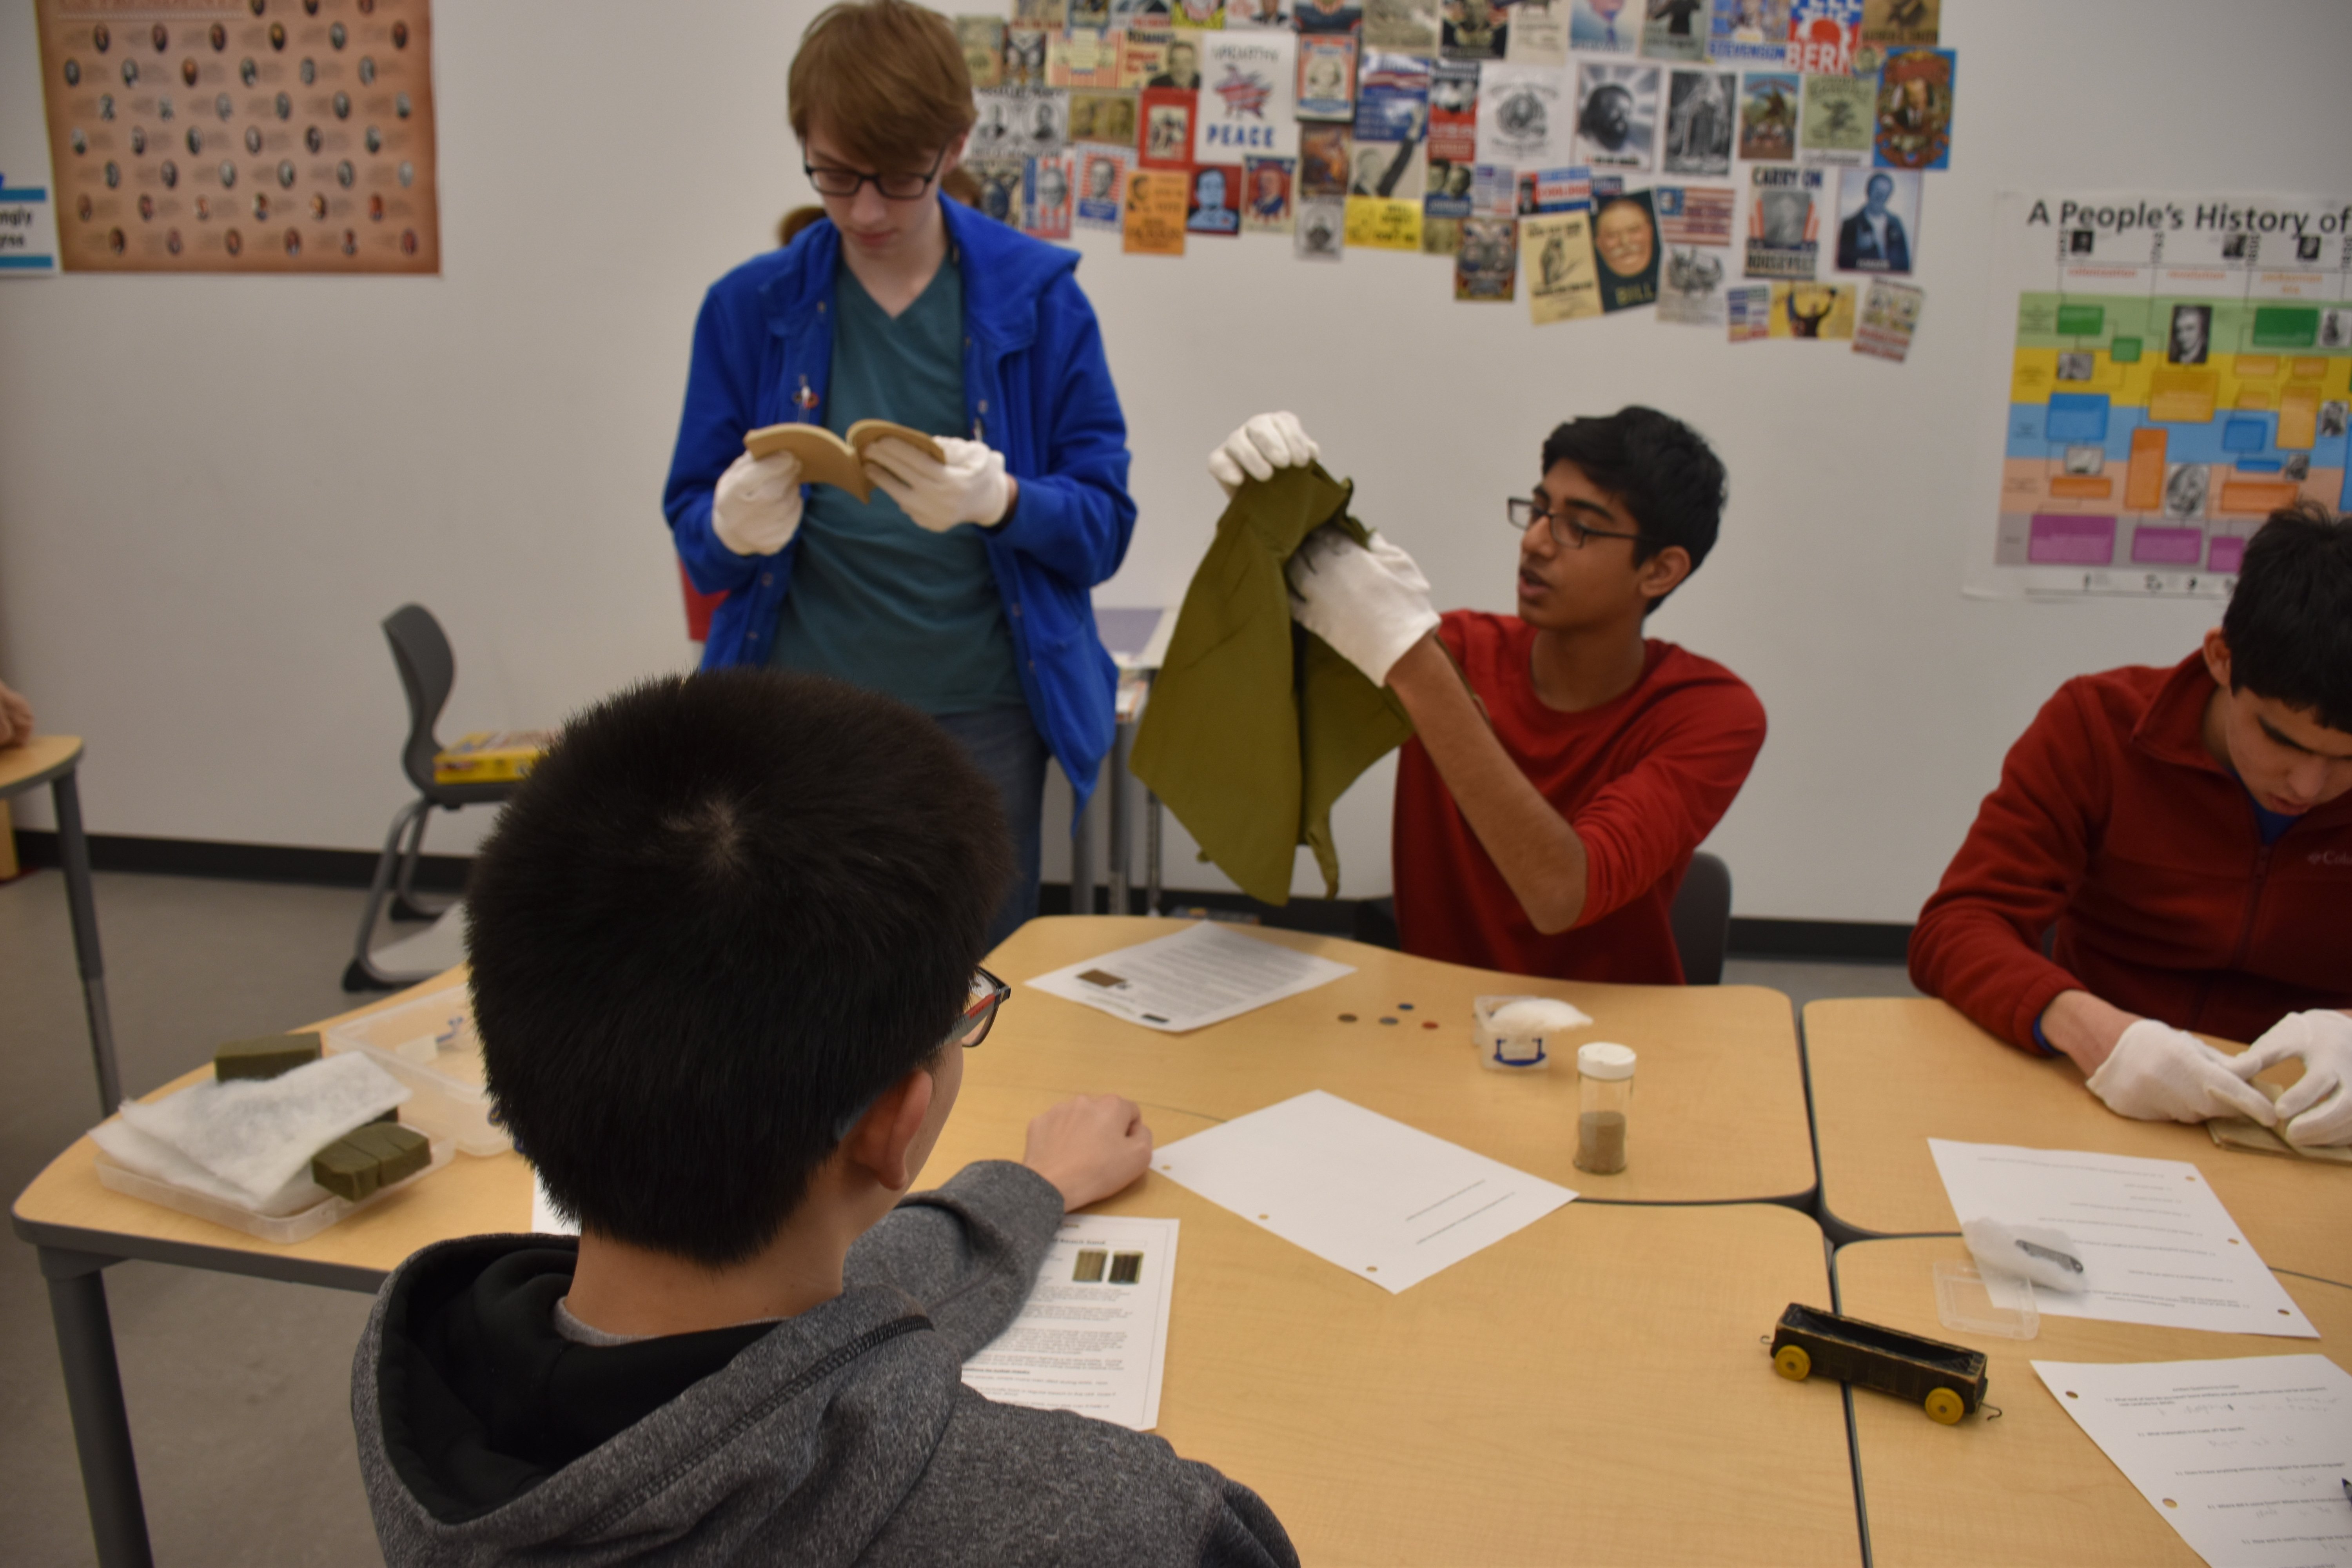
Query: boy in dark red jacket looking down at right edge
x=2189 y=836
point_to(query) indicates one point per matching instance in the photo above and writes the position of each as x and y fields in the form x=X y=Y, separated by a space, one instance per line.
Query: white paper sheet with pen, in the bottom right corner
x=2245 y=1456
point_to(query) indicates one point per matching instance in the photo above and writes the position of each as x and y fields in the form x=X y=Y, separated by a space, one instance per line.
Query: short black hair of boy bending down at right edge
x=2290 y=622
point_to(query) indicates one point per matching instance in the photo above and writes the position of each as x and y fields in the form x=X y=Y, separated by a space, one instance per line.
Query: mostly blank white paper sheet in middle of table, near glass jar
x=1377 y=1198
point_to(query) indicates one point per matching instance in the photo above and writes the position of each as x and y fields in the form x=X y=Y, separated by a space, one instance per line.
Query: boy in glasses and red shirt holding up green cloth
x=1563 y=768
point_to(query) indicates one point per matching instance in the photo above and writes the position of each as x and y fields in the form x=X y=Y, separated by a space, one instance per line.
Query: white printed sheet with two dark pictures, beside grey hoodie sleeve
x=1095 y=1332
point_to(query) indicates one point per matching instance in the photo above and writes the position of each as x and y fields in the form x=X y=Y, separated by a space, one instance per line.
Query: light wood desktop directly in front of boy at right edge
x=1895 y=1073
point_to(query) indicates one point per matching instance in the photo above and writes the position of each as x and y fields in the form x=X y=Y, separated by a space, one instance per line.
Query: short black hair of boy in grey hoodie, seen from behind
x=721 y=916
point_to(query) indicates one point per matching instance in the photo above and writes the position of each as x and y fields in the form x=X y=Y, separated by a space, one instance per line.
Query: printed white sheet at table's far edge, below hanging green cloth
x=1203 y=974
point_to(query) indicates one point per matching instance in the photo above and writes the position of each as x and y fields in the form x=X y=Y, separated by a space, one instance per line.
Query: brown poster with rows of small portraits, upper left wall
x=241 y=138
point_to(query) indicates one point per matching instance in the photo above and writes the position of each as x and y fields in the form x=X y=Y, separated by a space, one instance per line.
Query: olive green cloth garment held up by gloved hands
x=1255 y=725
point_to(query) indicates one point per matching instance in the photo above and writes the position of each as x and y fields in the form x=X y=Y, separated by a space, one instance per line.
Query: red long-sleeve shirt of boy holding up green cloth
x=1643 y=779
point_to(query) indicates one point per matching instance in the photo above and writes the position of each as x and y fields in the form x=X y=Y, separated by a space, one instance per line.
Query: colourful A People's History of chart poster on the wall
x=2181 y=366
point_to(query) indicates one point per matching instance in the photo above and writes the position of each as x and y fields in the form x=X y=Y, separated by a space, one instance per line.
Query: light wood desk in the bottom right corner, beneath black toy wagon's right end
x=2029 y=1487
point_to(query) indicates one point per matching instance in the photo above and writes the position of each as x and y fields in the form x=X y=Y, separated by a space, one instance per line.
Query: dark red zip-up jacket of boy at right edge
x=2118 y=826
